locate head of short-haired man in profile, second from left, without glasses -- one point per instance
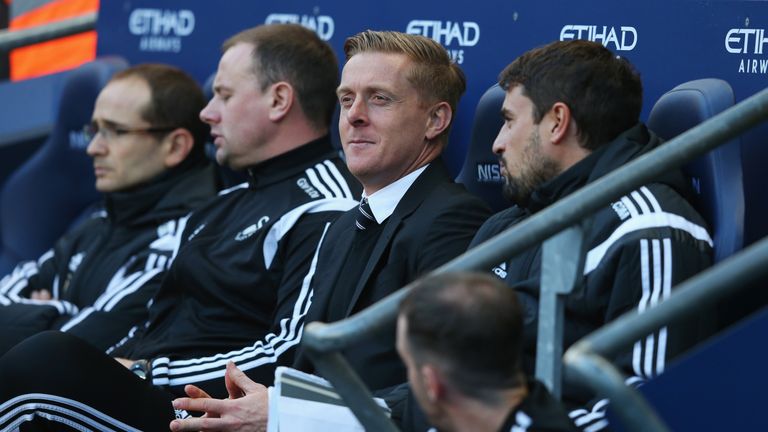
(274, 90)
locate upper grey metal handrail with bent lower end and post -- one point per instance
(323, 341)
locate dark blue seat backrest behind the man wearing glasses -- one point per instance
(40, 200)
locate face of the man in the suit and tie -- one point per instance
(383, 120)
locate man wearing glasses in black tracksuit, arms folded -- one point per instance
(97, 280)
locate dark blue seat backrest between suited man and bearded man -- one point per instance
(480, 173)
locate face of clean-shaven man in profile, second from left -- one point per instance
(238, 111)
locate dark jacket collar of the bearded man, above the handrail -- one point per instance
(632, 143)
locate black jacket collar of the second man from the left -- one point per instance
(290, 163)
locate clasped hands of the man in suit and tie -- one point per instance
(244, 411)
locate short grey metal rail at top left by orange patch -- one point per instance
(10, 39)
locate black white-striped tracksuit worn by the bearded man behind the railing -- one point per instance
(638, 248)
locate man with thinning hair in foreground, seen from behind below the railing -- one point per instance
(460, 336)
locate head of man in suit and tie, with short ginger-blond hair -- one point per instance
(398, 97)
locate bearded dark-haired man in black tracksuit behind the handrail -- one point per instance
(571, 115)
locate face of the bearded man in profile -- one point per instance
(524, 164)
